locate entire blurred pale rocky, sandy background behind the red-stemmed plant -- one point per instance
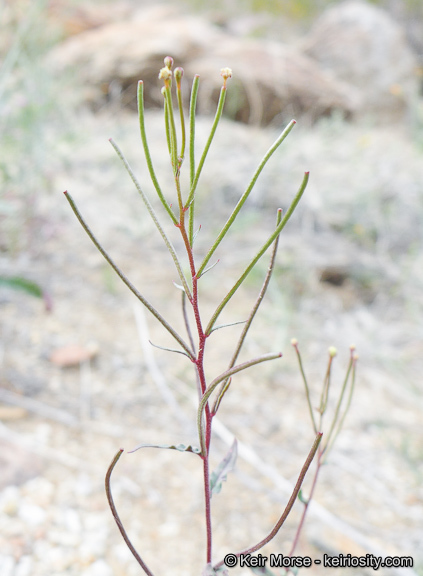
(78, 378)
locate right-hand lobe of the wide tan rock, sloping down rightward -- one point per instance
(271, 80)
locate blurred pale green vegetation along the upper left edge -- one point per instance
(29, 116)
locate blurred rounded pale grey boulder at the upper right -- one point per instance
(362, 45)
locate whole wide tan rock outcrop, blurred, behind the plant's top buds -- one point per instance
(270, 79)
